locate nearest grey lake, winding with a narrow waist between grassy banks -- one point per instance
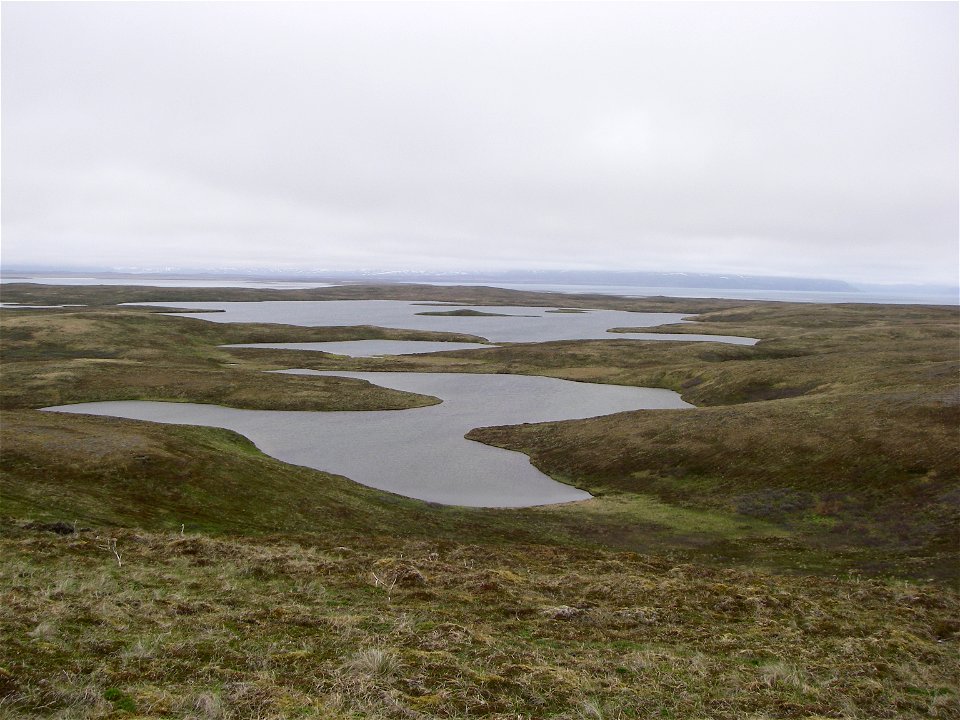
(421, 452)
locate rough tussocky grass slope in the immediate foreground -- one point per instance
(232, 627)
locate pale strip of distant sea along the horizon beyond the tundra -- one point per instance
(873, 294)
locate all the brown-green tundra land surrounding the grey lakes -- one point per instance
(787, 550)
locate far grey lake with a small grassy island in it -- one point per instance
(519, 325)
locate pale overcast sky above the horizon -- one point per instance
(812, 139)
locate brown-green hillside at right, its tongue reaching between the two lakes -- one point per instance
(840, 426)
